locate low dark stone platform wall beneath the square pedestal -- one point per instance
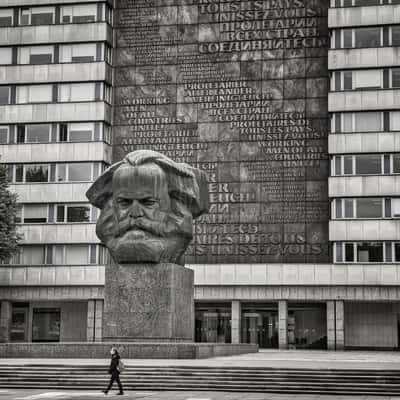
(145, 350)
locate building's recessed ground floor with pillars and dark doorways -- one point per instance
(331, 324)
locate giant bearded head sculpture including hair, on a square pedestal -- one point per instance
(148, 203)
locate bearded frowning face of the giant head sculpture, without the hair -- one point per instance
(148, 226)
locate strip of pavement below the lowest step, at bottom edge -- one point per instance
(141, 395)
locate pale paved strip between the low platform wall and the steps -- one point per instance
(311, 359)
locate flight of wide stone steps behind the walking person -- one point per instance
(238, 379)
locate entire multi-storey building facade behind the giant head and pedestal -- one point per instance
(292, 109)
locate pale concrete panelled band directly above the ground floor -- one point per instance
(218, 274)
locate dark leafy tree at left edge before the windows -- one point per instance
(9, 236)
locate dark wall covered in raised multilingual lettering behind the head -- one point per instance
(238, 89)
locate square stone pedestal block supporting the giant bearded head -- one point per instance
(148, 302)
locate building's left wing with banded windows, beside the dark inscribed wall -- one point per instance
(55, 91)
